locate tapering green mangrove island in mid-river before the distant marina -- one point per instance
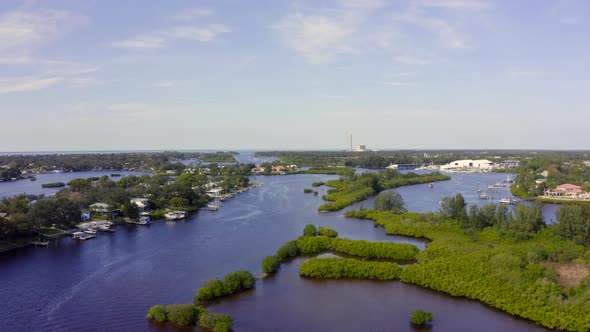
(351, 189)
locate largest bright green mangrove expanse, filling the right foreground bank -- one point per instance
(516, 264)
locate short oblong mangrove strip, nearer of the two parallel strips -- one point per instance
(349, 268)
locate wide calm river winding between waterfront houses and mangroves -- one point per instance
(108, 283)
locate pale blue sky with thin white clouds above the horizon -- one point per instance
(424, 74)
